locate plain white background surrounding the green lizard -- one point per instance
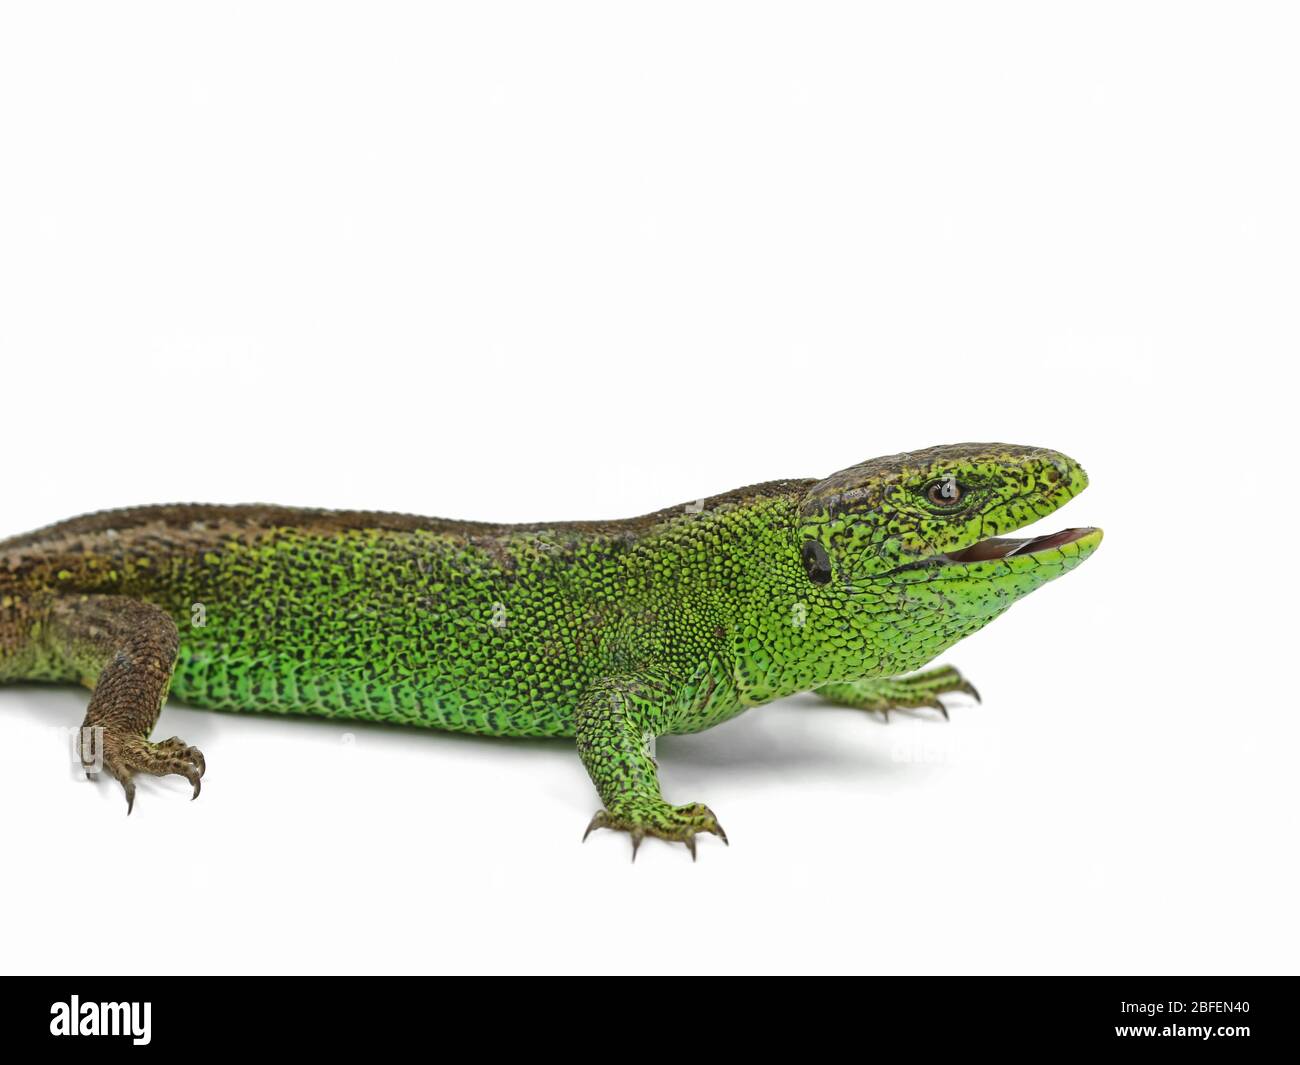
(584, 261)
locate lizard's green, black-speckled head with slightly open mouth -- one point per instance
(920, 538)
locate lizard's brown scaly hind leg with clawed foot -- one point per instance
(125, 651)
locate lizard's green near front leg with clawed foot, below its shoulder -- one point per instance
(617, 722)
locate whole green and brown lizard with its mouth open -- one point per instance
(606, 633)
